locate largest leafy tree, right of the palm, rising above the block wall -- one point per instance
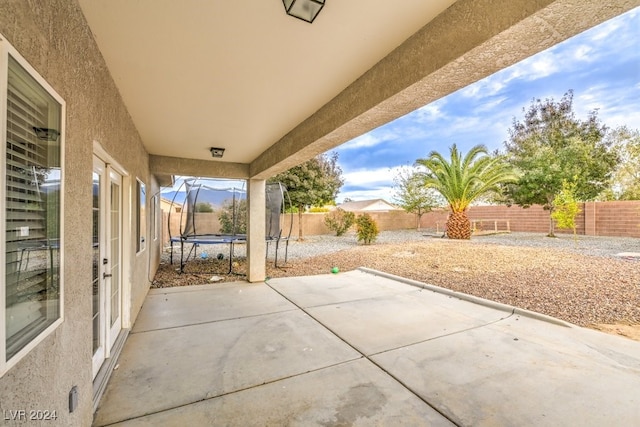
(551, 145)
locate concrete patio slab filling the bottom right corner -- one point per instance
(524, 372)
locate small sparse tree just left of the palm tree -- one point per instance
(411, 194)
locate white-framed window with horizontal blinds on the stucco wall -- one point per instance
(32, 209)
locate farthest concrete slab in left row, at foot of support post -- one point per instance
(172, 307)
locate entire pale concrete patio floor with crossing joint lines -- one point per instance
(362, 348)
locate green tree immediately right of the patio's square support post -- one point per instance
(315, 182)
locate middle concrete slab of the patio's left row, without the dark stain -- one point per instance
(167, 368)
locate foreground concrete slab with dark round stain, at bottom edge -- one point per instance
(351, 394)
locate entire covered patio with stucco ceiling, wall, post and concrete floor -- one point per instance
(147, 90)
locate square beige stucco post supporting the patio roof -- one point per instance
(256, 229)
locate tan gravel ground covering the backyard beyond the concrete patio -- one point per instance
(584, 282)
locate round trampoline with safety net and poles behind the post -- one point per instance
(215, 215)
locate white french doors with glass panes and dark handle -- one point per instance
(107, 260)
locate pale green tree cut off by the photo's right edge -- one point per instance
(626, 178)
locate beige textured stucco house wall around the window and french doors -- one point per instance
(53, 36)
